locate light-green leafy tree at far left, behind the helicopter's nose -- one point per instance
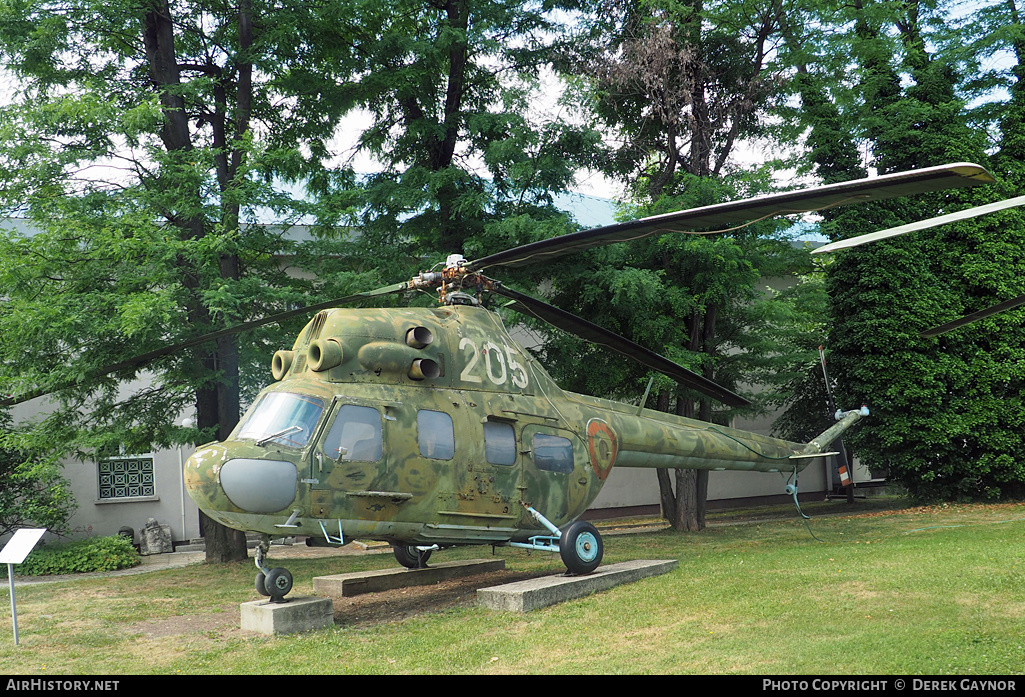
(142, 145)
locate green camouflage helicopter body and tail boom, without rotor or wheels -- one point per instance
(434, 427)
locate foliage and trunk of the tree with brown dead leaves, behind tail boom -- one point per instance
(682, 86)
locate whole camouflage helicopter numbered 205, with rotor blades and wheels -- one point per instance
(433, 428)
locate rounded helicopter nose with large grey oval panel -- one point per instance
(218, 481)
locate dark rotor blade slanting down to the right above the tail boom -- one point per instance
(592, 333)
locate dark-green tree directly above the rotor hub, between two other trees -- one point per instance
(469, 165)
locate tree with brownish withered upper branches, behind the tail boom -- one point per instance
(681, 86)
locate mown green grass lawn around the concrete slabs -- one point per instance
(925, 591)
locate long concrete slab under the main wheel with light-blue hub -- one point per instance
(541, 593)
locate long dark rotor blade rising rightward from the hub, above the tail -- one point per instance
(723, 217)
